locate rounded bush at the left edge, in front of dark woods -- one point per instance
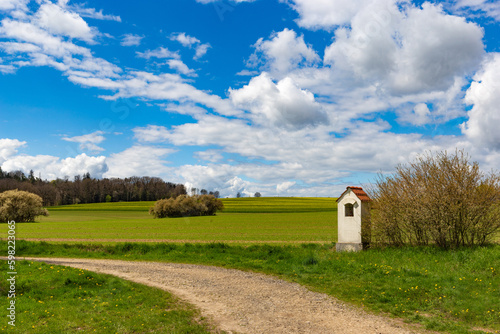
(20, 206)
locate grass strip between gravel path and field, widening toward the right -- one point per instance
(455, 291)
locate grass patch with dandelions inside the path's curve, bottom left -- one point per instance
(57, 299)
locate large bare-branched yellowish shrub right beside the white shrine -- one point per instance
(442, 200)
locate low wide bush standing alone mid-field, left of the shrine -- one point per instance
(186, 206)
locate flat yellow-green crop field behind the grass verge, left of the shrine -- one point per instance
(281, 220)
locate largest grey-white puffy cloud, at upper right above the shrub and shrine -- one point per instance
(398, 53)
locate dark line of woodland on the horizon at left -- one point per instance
(85, 189)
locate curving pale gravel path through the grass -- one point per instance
(244, 302)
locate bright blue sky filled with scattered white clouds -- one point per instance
(287, 98)
